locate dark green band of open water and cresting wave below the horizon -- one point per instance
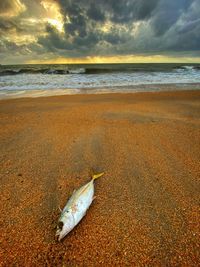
(93, 69)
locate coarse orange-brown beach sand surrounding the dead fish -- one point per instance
(147, 207)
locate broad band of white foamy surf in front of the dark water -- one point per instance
(44, 84)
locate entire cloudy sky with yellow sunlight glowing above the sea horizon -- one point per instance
(99, 31)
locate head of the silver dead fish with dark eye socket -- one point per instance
(65, 225)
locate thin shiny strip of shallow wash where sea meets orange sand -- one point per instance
(15, 94)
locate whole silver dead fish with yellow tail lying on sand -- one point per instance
(76, 208)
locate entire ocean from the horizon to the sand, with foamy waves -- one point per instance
(39, 80)
